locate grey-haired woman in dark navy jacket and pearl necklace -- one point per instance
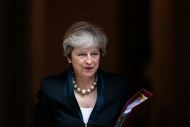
(83, 95)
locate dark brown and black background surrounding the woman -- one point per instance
(149, 41)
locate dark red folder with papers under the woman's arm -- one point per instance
(133, 108)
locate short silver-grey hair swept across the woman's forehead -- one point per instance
(84, 35)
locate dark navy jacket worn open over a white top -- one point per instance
(58, 107)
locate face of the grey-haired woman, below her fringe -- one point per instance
(85, 61)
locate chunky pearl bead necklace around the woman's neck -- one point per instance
(84, 91)
